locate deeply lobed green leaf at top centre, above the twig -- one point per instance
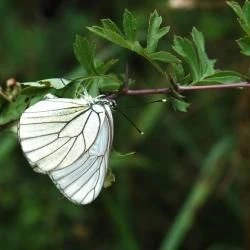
(129, 41)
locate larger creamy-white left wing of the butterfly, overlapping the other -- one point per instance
(56, 132)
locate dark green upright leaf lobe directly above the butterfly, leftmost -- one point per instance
(85, 53)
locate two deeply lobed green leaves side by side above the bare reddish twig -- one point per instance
(193, 54)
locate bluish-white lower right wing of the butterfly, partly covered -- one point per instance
(82, 181)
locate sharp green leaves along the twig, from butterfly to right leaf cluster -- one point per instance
(97, 79)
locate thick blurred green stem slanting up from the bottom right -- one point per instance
(211, 171)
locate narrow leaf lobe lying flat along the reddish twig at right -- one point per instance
(223, 77)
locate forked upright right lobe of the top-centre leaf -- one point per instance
(155, 32)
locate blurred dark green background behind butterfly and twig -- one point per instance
(188, 184)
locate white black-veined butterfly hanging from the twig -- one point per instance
(70, 140)
